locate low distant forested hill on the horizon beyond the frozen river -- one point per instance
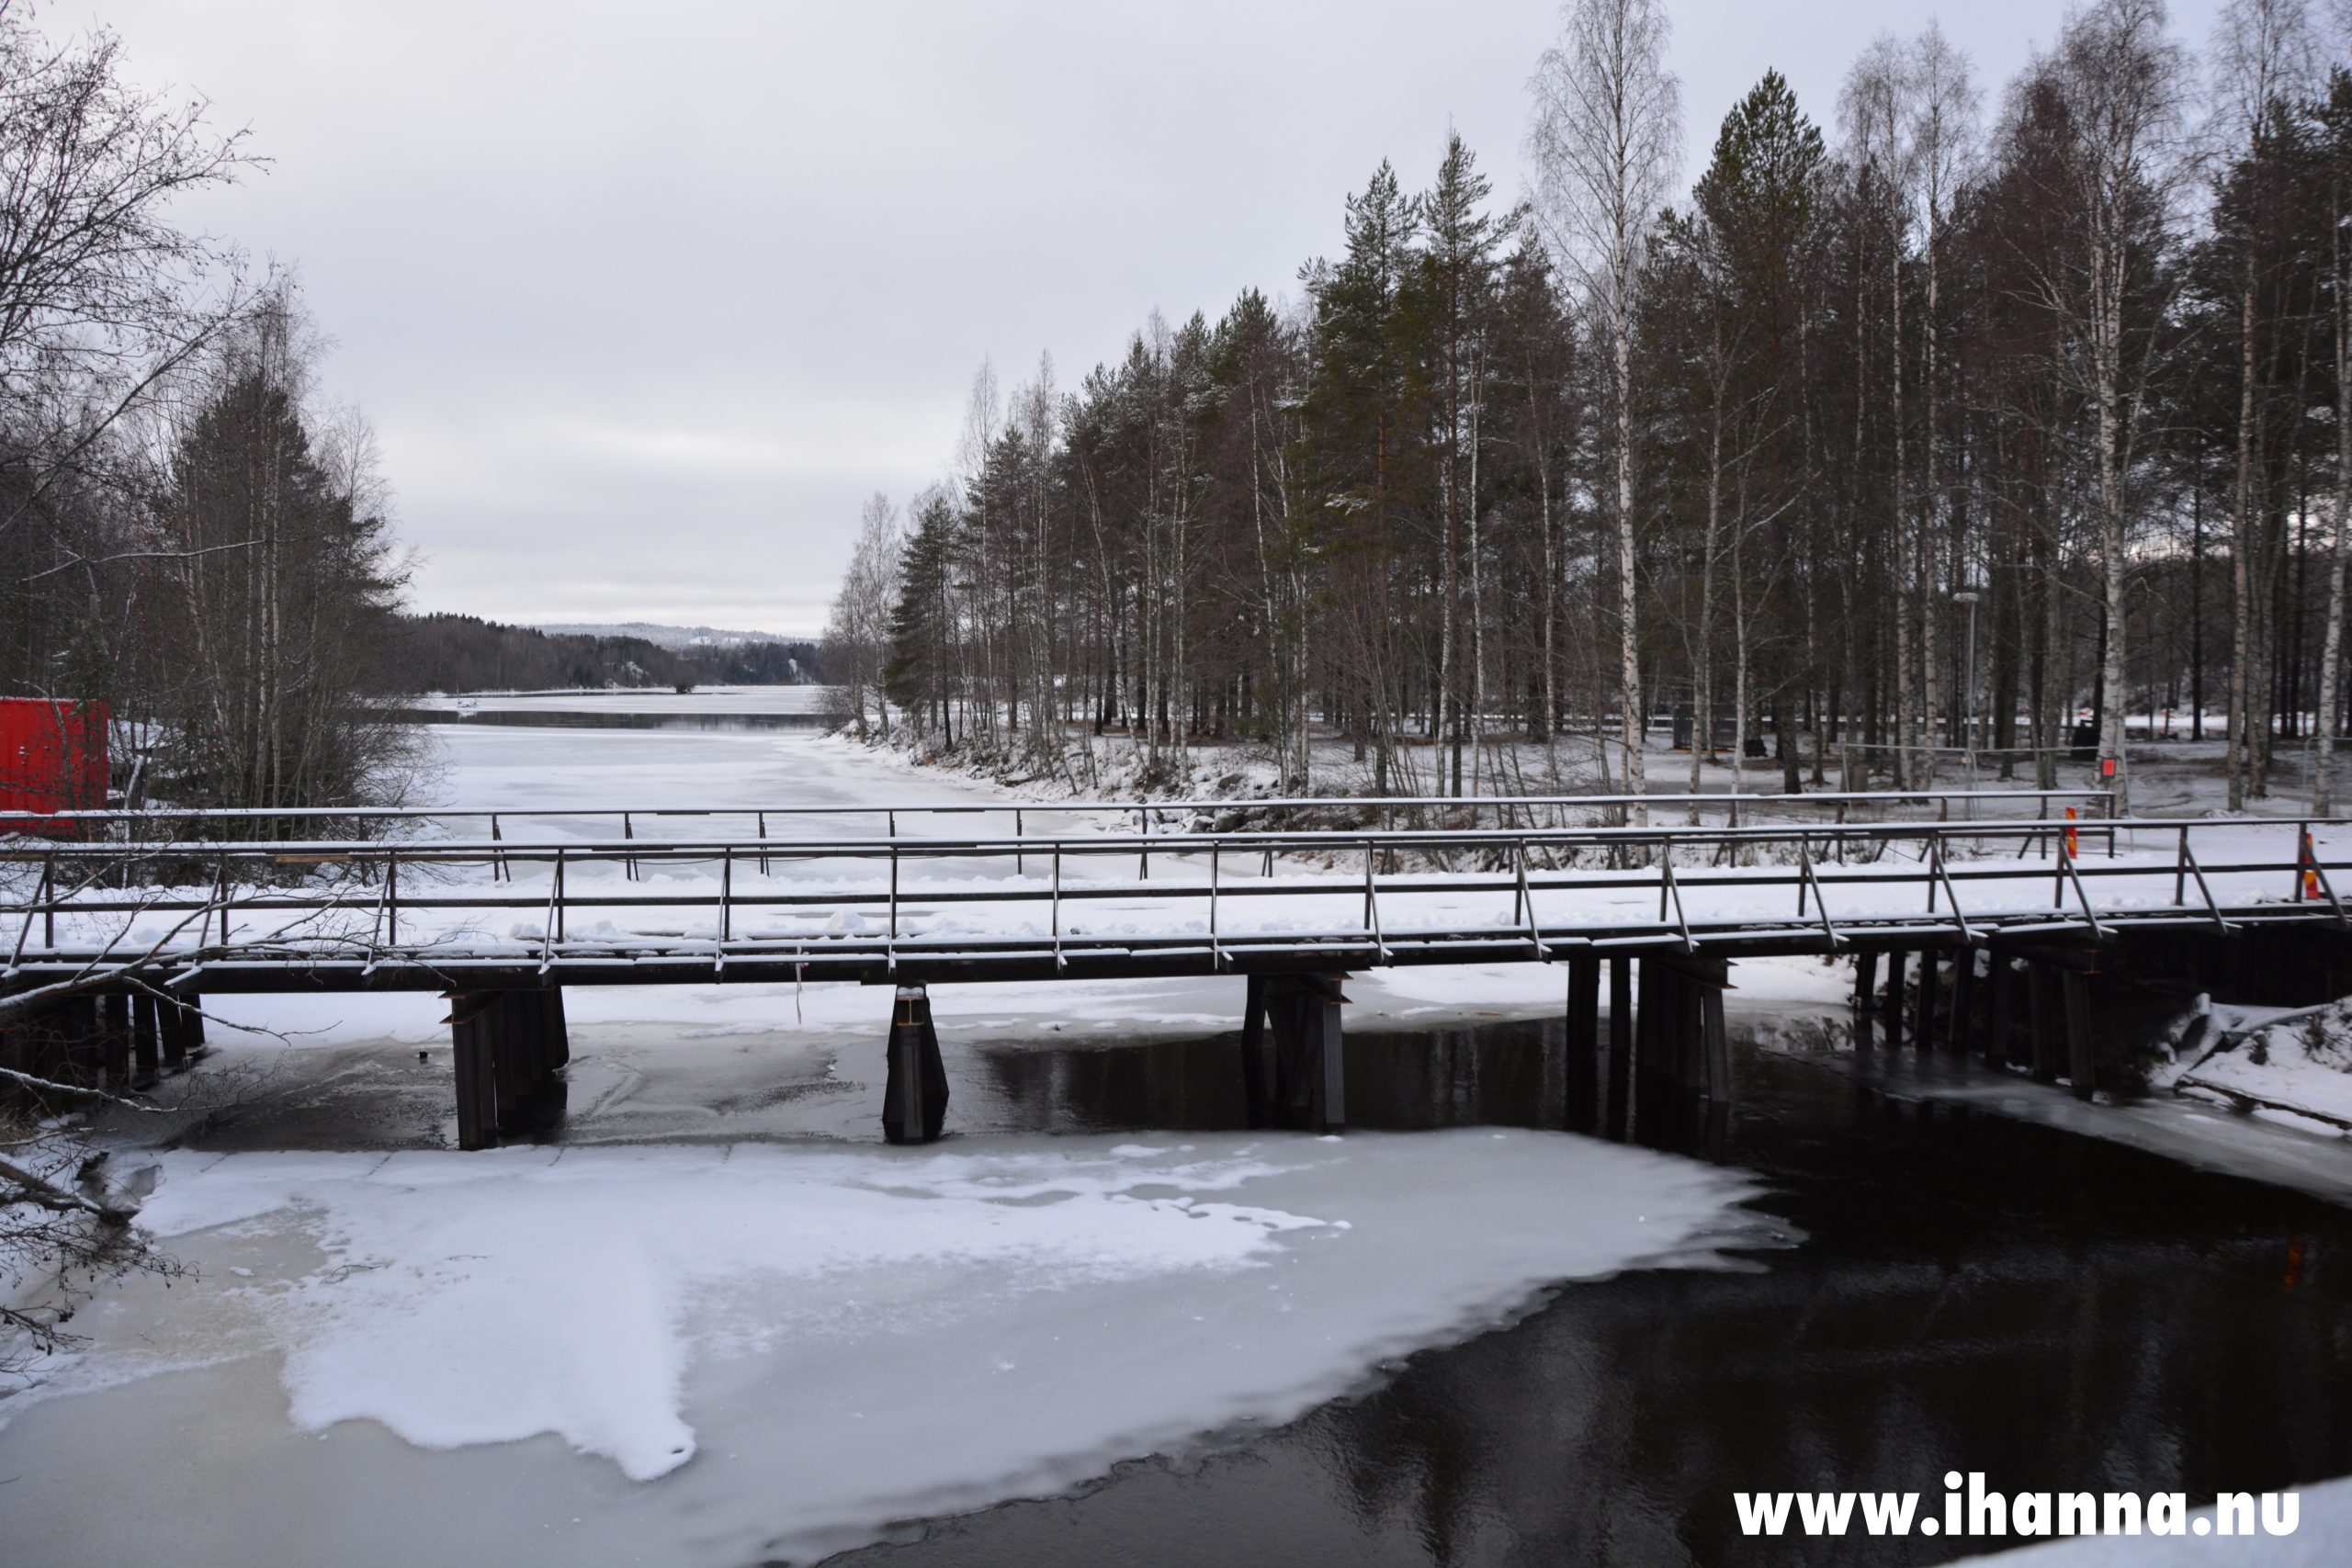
(474, 655)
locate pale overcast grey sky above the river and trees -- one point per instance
(646, 300)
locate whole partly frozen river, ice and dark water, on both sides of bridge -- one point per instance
(716, 1322)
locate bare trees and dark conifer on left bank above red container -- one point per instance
(189, 530)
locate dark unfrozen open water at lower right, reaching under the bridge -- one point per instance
(1975, 1292)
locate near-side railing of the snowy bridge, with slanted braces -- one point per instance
(338, 913)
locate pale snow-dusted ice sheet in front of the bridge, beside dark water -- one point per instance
(900, 1332)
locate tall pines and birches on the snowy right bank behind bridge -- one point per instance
(1913, 410)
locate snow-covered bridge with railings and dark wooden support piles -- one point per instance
(1965, 911)
